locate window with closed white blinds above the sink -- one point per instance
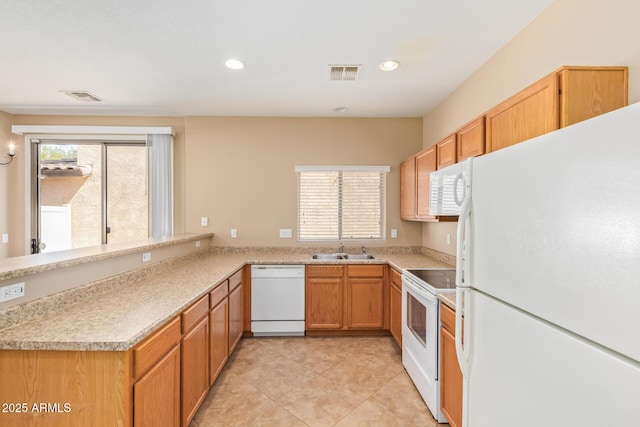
(341, 203)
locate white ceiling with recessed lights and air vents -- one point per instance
(166, 57)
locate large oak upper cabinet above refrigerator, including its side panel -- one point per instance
(564, 97)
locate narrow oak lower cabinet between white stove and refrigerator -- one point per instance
(450, 374)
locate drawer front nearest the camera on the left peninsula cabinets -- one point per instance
(152, 349)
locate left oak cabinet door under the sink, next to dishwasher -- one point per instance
(324, 303)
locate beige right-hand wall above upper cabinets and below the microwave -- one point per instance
(569, 32)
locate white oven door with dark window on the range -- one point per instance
(420, 327)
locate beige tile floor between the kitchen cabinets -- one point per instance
(302, 381)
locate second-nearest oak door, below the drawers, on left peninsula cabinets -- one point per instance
(195, 369)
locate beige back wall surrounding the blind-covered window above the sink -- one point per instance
(241, 175)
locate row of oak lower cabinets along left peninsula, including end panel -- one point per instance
(161, 381)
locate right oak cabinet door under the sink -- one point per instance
(365, 298)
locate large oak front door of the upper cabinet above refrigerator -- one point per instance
(530, 113)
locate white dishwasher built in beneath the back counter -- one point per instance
(277, 300)
